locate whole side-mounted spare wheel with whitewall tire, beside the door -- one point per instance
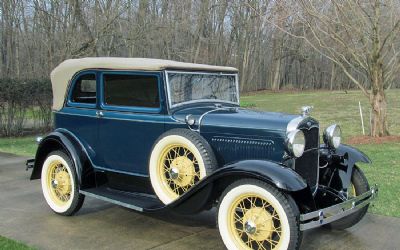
(179, 160)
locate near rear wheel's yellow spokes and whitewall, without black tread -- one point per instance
(58, 183)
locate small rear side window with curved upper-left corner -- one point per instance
(85, 89)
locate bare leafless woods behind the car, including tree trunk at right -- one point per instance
(305, 44)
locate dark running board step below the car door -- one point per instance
(136, 201)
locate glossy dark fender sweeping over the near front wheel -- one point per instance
(210, 188)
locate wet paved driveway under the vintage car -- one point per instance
(25, 216)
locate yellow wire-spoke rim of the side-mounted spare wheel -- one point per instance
(178, 169)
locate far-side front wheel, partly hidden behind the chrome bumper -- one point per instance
(359, 184)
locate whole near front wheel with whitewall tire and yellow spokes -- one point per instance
(255, 215)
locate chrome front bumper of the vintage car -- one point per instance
(336, 212)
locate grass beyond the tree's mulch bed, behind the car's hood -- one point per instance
(329, 107)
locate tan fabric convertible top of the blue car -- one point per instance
(63, 73)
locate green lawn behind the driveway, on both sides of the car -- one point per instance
(329, 107)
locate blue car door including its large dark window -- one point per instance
(132, 118)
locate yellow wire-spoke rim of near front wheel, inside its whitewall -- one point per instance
(254, 222)
